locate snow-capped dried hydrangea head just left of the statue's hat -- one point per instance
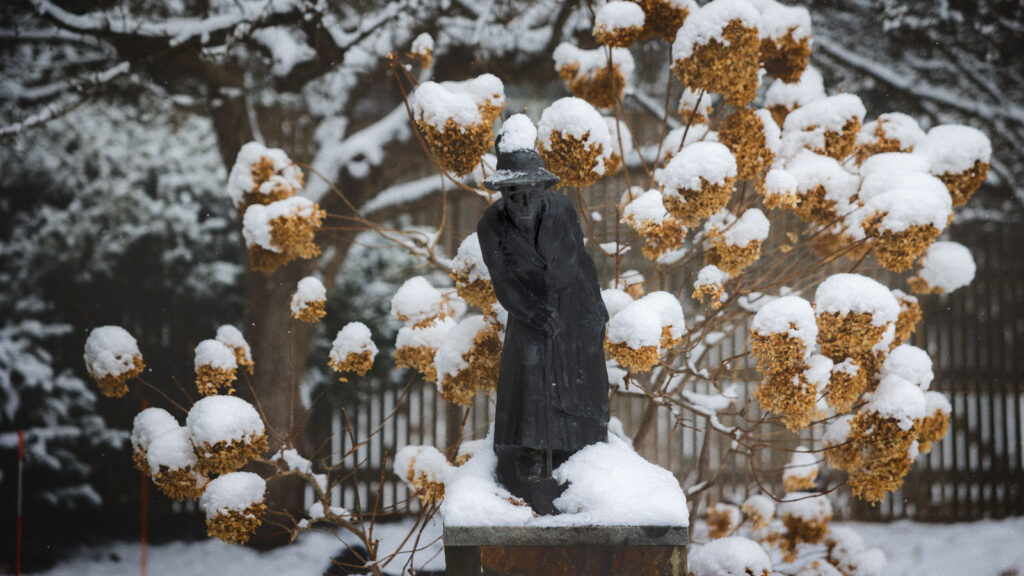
(457, 119)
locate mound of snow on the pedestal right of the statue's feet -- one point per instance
(610, 484)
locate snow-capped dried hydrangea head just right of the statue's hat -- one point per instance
(575, 142)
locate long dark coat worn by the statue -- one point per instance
(532, 277)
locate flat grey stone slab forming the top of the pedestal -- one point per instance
(566, 537)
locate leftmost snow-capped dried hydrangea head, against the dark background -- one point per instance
(112, 358)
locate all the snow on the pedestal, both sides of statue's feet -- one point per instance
(609, 484)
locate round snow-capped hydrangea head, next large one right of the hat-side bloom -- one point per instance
(698, 182)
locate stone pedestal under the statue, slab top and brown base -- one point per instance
(594, 551)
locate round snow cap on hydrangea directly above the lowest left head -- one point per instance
(223, 419)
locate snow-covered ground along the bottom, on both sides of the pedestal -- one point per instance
(983, 549)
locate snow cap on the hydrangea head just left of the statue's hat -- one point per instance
(436, 103)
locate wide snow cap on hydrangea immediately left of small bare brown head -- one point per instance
(854, 294)
